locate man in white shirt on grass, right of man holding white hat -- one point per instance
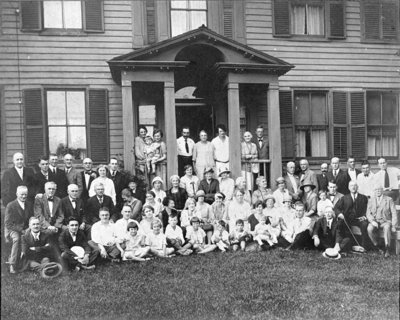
(104, 238)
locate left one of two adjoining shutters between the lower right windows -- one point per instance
(339, 124)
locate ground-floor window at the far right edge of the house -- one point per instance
(383, 124)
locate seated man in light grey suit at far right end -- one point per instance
(381, 214)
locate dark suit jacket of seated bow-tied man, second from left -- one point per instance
(47, 218)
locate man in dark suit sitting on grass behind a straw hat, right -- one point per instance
(328, 233)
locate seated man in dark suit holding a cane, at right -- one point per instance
(352, 208)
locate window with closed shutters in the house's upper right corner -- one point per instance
(380, 20)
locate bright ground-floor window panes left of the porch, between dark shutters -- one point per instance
(67, 122)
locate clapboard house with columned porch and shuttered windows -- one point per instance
(323, 77)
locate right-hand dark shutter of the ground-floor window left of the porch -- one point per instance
(98, 130)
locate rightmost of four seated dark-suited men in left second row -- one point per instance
(96, 202)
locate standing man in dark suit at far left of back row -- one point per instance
(17, 176)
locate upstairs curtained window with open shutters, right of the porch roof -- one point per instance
(311, 18)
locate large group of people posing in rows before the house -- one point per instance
(107, 216)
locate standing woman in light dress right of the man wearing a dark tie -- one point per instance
(203, 154)
